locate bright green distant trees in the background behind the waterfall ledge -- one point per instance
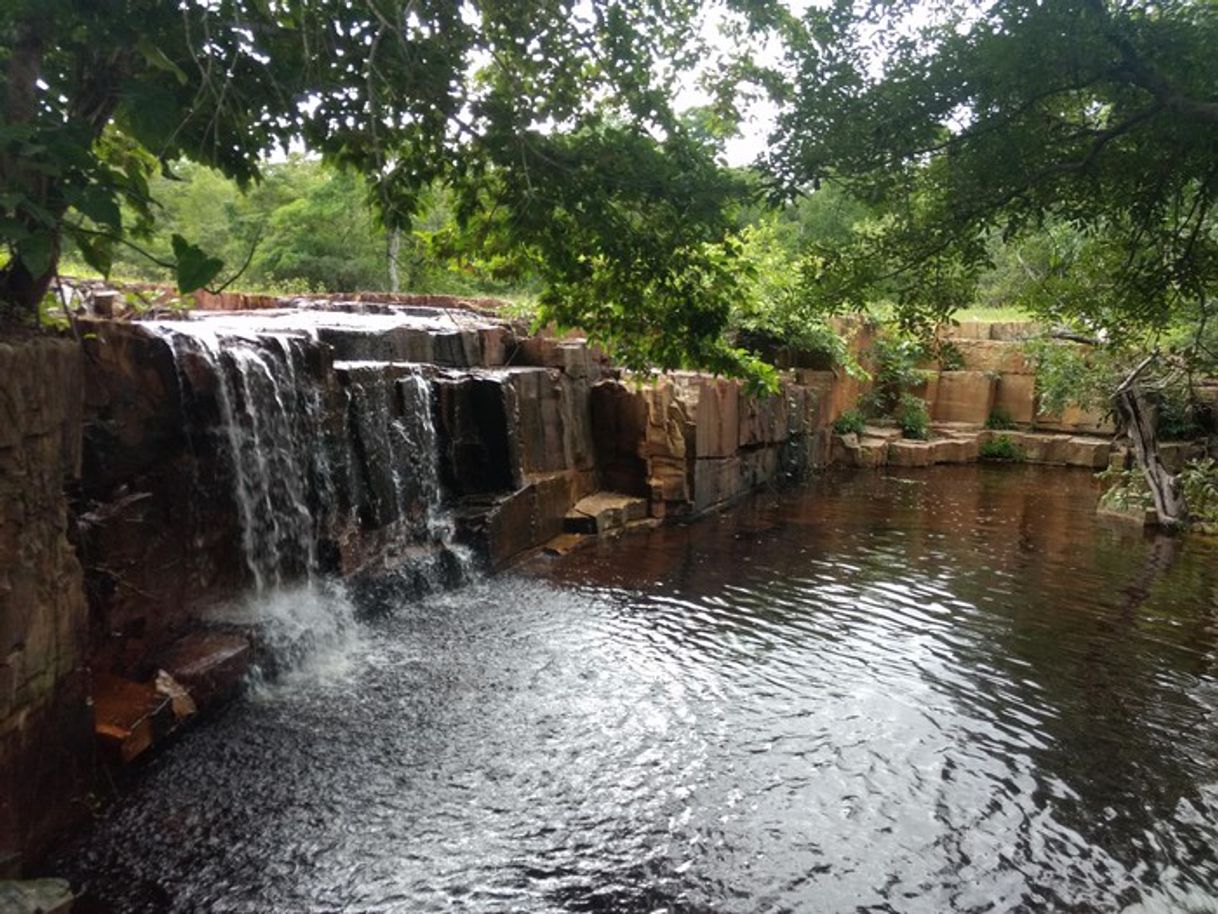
(305, 227)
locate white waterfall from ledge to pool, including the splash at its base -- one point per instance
(329, 456)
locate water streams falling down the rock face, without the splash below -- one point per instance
(331, 471)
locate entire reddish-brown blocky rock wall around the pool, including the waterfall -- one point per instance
(353, 438)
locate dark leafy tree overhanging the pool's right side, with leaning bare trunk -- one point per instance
(975, 122)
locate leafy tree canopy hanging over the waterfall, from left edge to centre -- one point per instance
(528, 107)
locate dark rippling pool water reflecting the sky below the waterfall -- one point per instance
(947, 692)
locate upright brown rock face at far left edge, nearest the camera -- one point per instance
(46, 727)
